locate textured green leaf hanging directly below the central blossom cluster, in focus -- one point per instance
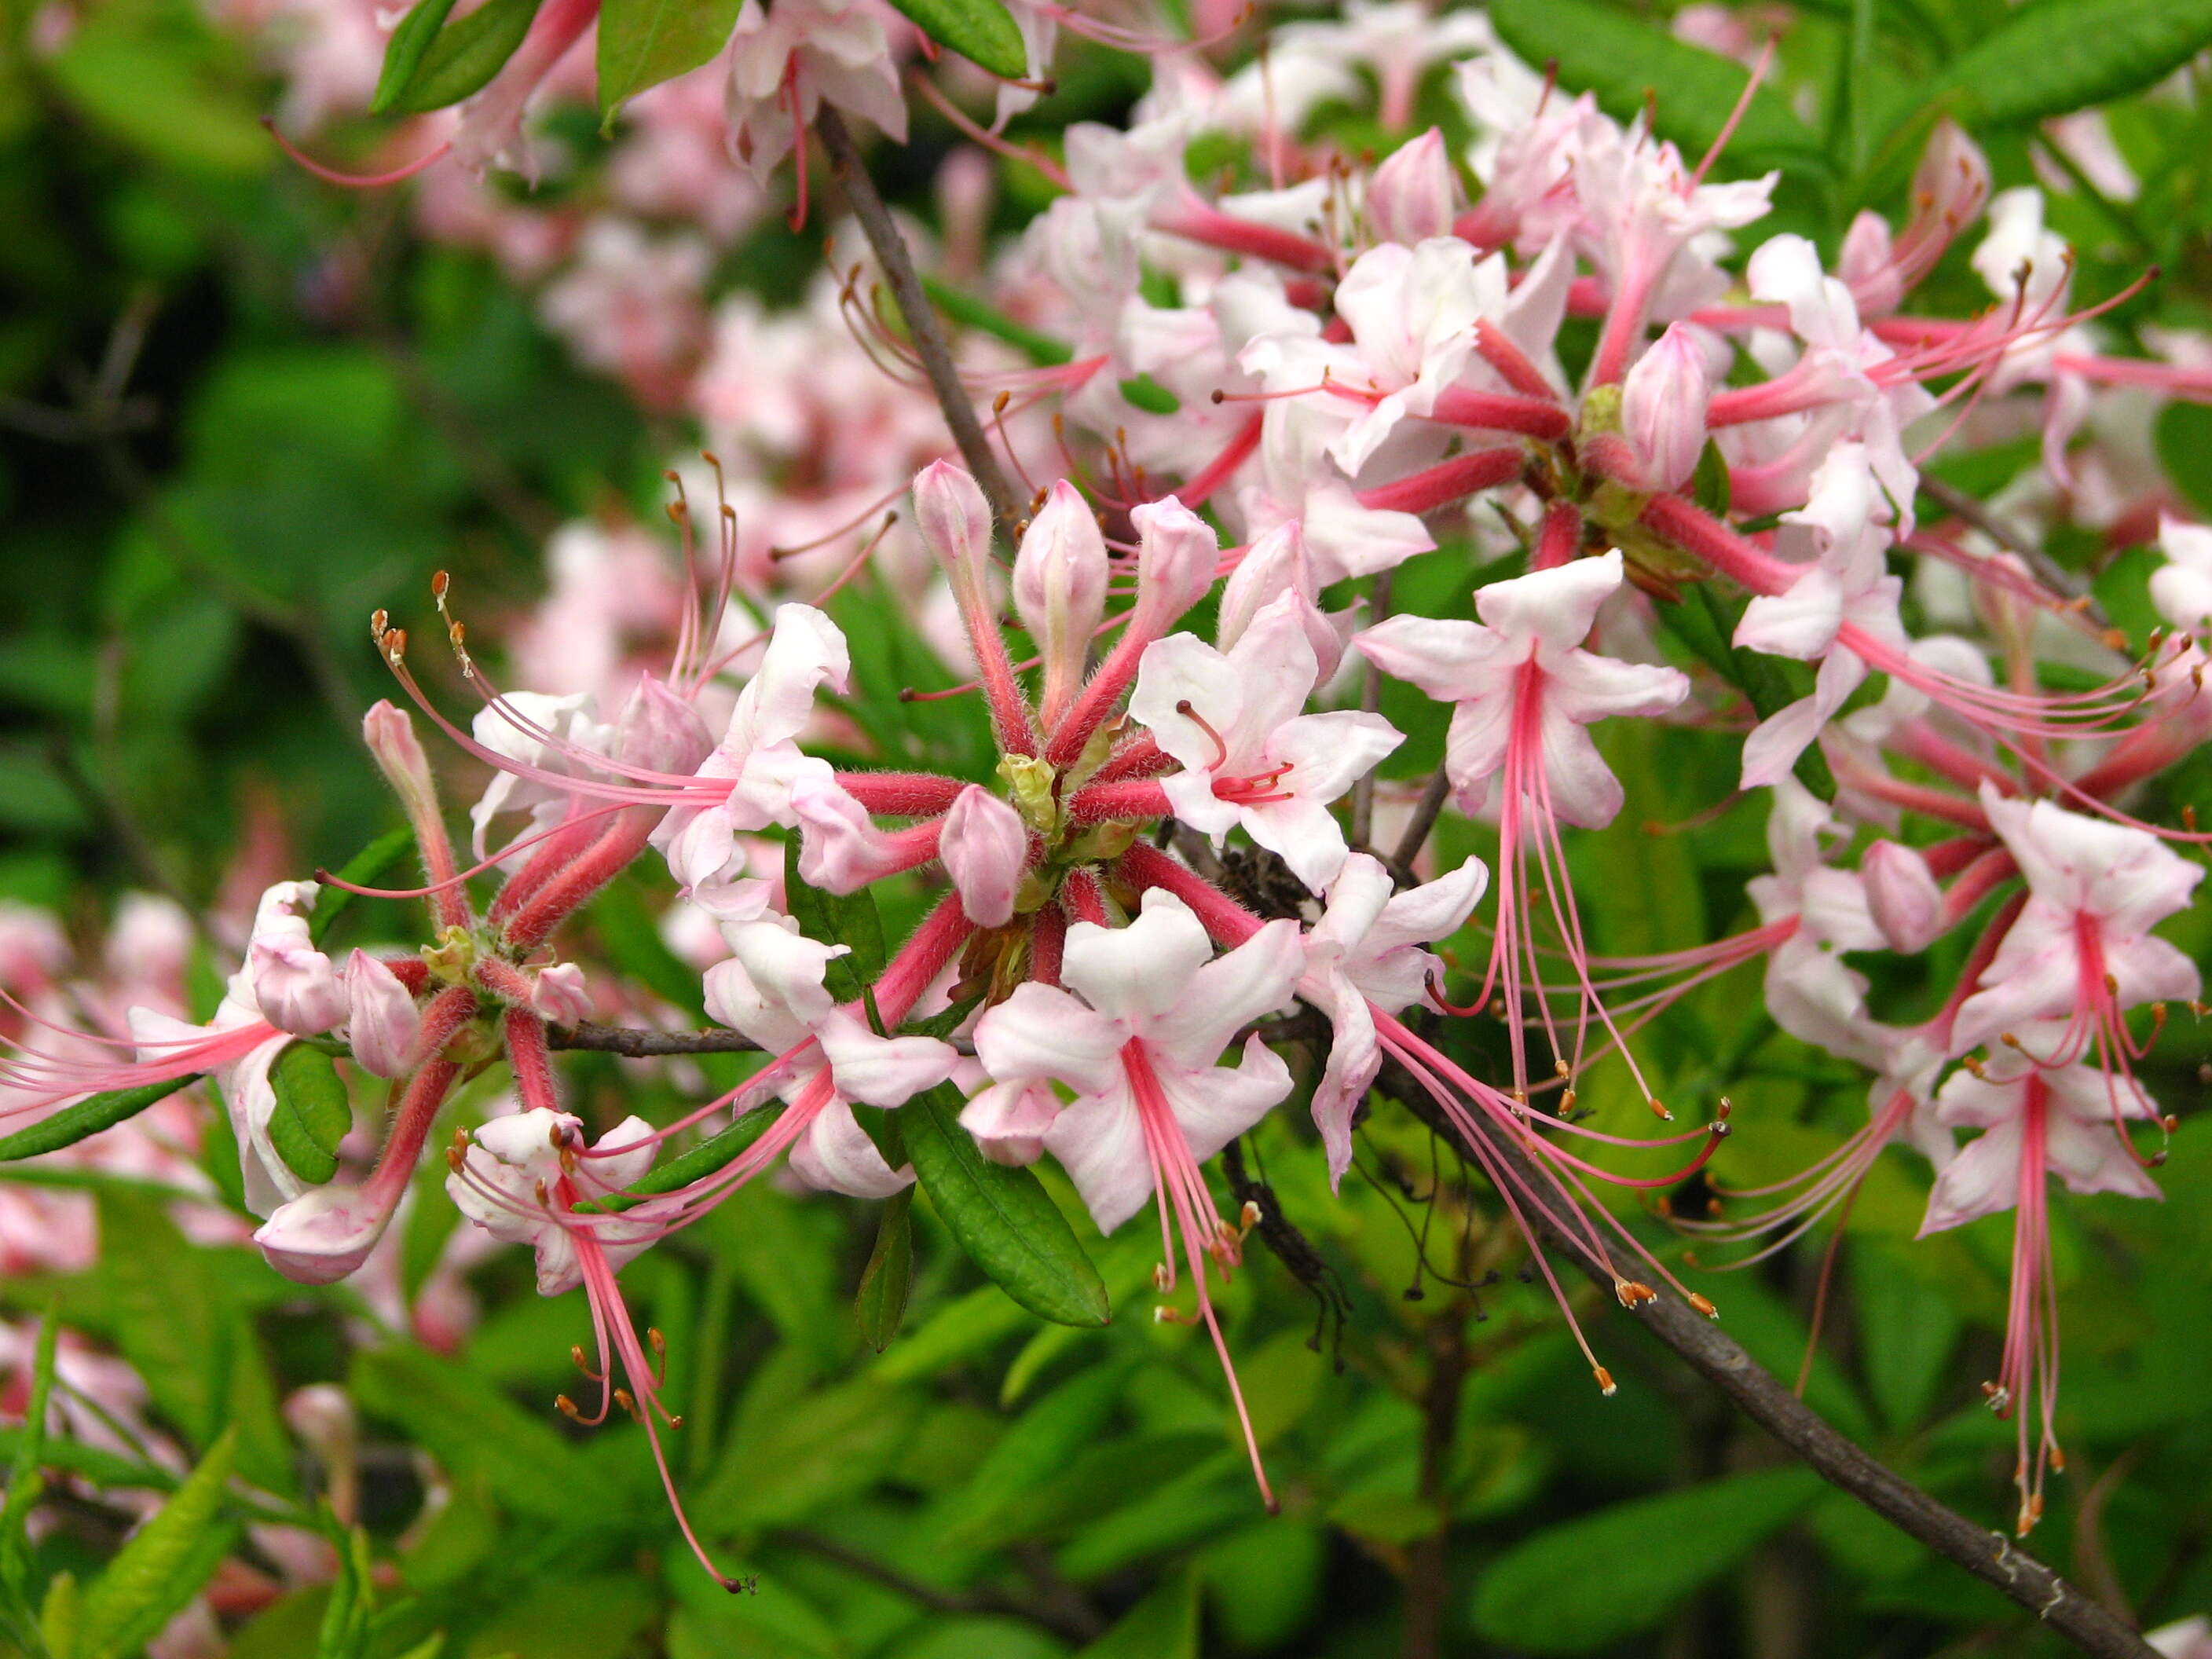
(1001, 1218)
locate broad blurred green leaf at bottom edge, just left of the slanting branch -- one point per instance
(1651, 1554)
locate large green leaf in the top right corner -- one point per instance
(2058, 56)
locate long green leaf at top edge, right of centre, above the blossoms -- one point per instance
(1623, 59)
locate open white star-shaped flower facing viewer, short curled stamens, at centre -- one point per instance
(1249, 755)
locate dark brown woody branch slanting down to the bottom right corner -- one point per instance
(1766, 1401)
